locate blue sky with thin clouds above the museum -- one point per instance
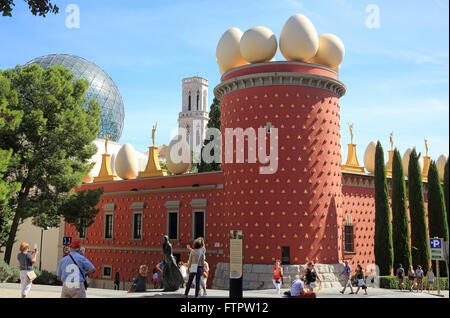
(397, 75)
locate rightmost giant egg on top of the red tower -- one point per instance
(331, 51)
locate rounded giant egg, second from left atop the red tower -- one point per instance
(258, 44)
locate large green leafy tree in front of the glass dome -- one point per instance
(53, 143)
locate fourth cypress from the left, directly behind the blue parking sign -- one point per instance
(437, 216)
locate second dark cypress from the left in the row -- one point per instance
(400, 224)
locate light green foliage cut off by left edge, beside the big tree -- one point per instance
(9, 120)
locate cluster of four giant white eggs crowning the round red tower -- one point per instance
(299, 41)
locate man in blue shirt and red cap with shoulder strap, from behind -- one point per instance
(72, 272)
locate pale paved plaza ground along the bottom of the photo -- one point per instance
(8, 290)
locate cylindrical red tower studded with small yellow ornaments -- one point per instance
(293, 212)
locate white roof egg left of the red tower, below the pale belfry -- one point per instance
(178, 156)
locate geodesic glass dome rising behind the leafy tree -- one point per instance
(101, 87)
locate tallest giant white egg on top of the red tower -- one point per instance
(298, 39)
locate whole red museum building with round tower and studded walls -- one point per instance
(310, 209)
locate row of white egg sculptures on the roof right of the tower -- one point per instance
(369, 160)
